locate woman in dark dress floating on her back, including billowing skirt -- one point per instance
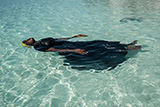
(97, 54)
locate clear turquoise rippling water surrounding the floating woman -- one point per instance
(29, 78)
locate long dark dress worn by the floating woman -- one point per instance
(101, 54)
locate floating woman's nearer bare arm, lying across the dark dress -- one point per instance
(80, 51)
